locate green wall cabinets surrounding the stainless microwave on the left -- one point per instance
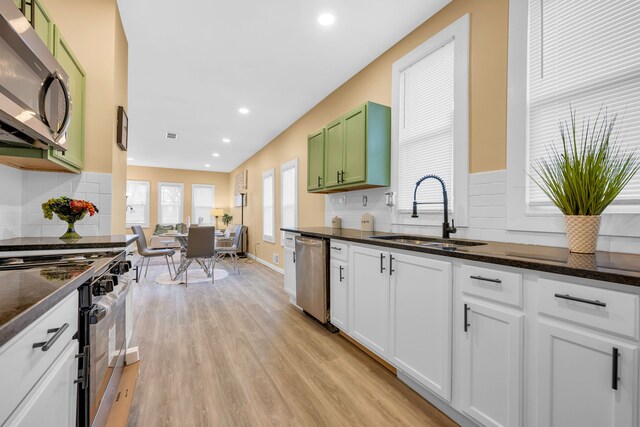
(71, 160)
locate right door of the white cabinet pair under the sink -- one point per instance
(421, 291)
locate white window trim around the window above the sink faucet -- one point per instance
(458, 31)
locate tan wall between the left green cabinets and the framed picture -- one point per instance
(94, 31)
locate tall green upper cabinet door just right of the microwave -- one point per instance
(74, 155)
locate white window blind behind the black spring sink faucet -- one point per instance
(426, 119)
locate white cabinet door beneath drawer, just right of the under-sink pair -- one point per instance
(492, 364)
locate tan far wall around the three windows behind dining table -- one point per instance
(186, 177)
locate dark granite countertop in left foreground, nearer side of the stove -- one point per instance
(25, 295)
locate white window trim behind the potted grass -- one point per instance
(519, 216)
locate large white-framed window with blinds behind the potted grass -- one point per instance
(583, 55)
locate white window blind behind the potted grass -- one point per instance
(585, 54)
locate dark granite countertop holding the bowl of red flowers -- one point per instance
(54, 243)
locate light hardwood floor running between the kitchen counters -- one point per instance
(236, 353)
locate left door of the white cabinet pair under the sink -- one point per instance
(369, 297)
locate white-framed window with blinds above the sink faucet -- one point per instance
(431, 121)
